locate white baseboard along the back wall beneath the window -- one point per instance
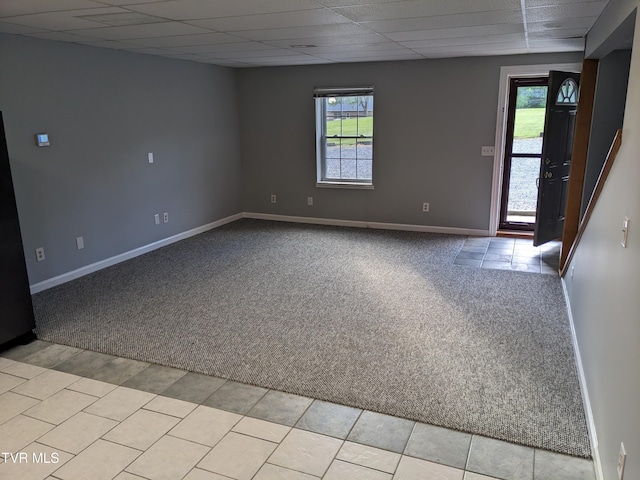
(364, 224)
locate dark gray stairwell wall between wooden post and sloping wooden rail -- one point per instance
(608, 113)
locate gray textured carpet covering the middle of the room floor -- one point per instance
(373, 319)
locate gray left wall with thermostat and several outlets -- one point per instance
(104, 111)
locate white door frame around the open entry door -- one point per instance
(506, 73)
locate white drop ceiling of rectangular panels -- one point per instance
(254, 33)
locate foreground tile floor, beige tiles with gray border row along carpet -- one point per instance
(71, 414)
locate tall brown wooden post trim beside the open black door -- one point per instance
(588, 81)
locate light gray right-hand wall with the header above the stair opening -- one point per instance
(604, 287)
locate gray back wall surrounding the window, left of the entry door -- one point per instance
(431, 119)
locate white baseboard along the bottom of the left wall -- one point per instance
(94, 267)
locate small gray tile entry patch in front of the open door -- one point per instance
(501, 253)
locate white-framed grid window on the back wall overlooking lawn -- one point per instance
(344, 136)
